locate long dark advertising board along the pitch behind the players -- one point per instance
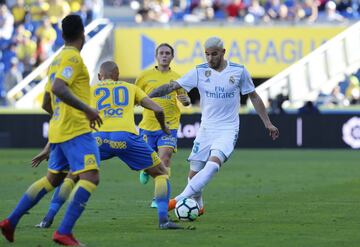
(317, 131)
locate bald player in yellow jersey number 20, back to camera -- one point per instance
(118, 137)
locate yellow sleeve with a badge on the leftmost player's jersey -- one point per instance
(69, 68)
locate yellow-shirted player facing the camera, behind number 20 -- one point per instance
(161, 142)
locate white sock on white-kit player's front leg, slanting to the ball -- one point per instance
(198, 182)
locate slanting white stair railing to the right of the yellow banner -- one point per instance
(317, 72)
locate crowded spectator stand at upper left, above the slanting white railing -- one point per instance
(30, 33)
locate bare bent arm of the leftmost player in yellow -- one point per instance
(61, 90)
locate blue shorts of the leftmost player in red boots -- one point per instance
(76, 155)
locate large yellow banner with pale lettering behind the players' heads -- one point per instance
(265, 51)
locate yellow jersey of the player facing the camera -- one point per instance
(148, 81)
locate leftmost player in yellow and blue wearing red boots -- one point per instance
(72, 144)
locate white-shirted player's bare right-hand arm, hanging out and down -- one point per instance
(261, 111)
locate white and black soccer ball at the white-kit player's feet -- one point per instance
(187, 209)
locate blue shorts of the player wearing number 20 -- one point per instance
(129, 147)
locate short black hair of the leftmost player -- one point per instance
(72, 27)
